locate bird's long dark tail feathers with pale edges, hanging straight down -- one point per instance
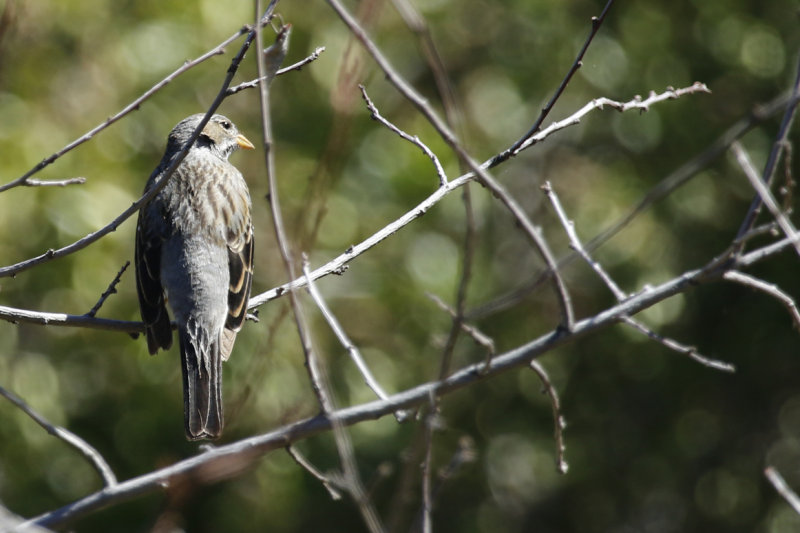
(202, 384)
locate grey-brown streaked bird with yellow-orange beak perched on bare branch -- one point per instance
(194, 250)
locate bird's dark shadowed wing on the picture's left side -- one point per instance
(148, 284)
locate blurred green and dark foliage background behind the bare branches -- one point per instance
(655, 441)
